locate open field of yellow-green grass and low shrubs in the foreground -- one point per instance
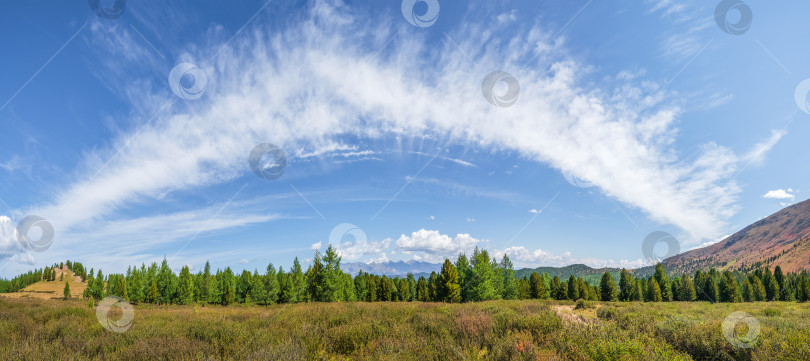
(36, 329)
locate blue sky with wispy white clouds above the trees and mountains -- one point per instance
(556, 132)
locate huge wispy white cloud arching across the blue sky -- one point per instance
(321, 78)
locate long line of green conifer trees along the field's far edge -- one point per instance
(468, 279)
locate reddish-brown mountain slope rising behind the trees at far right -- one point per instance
(782, 238)
